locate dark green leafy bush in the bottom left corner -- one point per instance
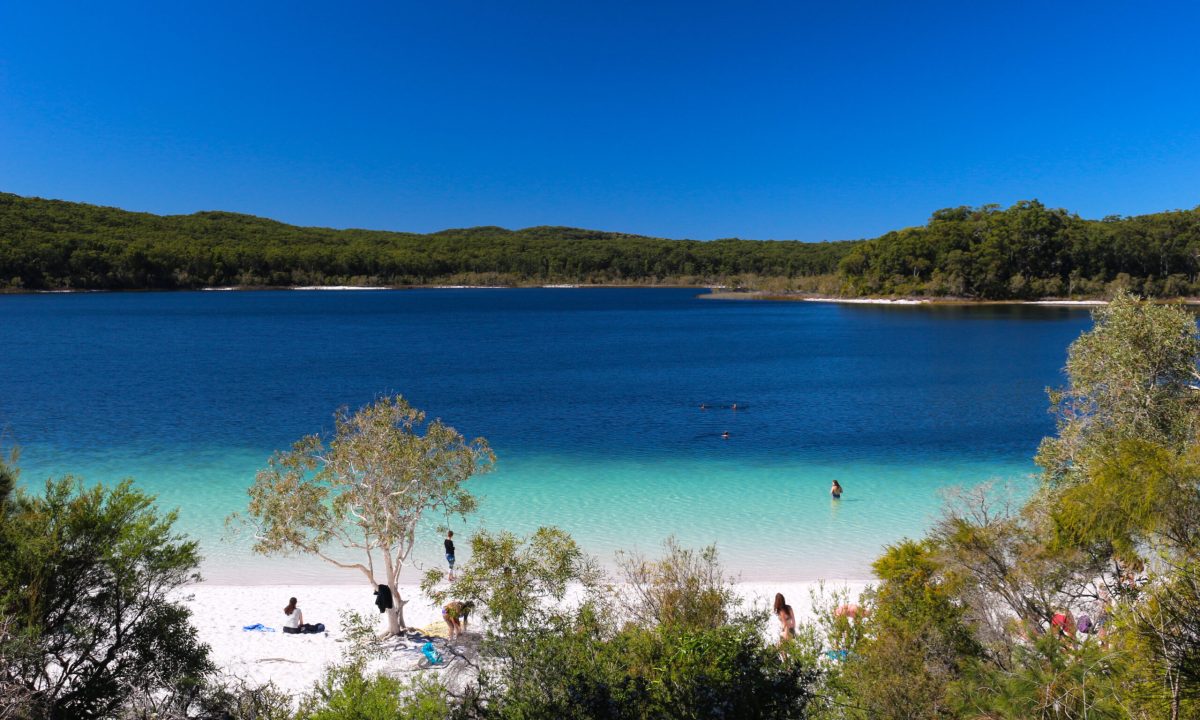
(85, 586)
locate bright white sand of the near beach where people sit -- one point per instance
(295, 663)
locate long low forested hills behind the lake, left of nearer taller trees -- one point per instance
(53, 244)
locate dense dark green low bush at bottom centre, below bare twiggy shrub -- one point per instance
(572, 669)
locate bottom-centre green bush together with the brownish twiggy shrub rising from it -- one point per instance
(675, 649)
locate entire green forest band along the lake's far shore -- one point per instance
(1027, 251)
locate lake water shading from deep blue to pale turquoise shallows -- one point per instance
(591, 399)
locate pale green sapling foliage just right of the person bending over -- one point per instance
(517, 578)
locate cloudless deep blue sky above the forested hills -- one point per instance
(692, 119)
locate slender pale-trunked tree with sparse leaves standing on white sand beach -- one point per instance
(355, 500)
